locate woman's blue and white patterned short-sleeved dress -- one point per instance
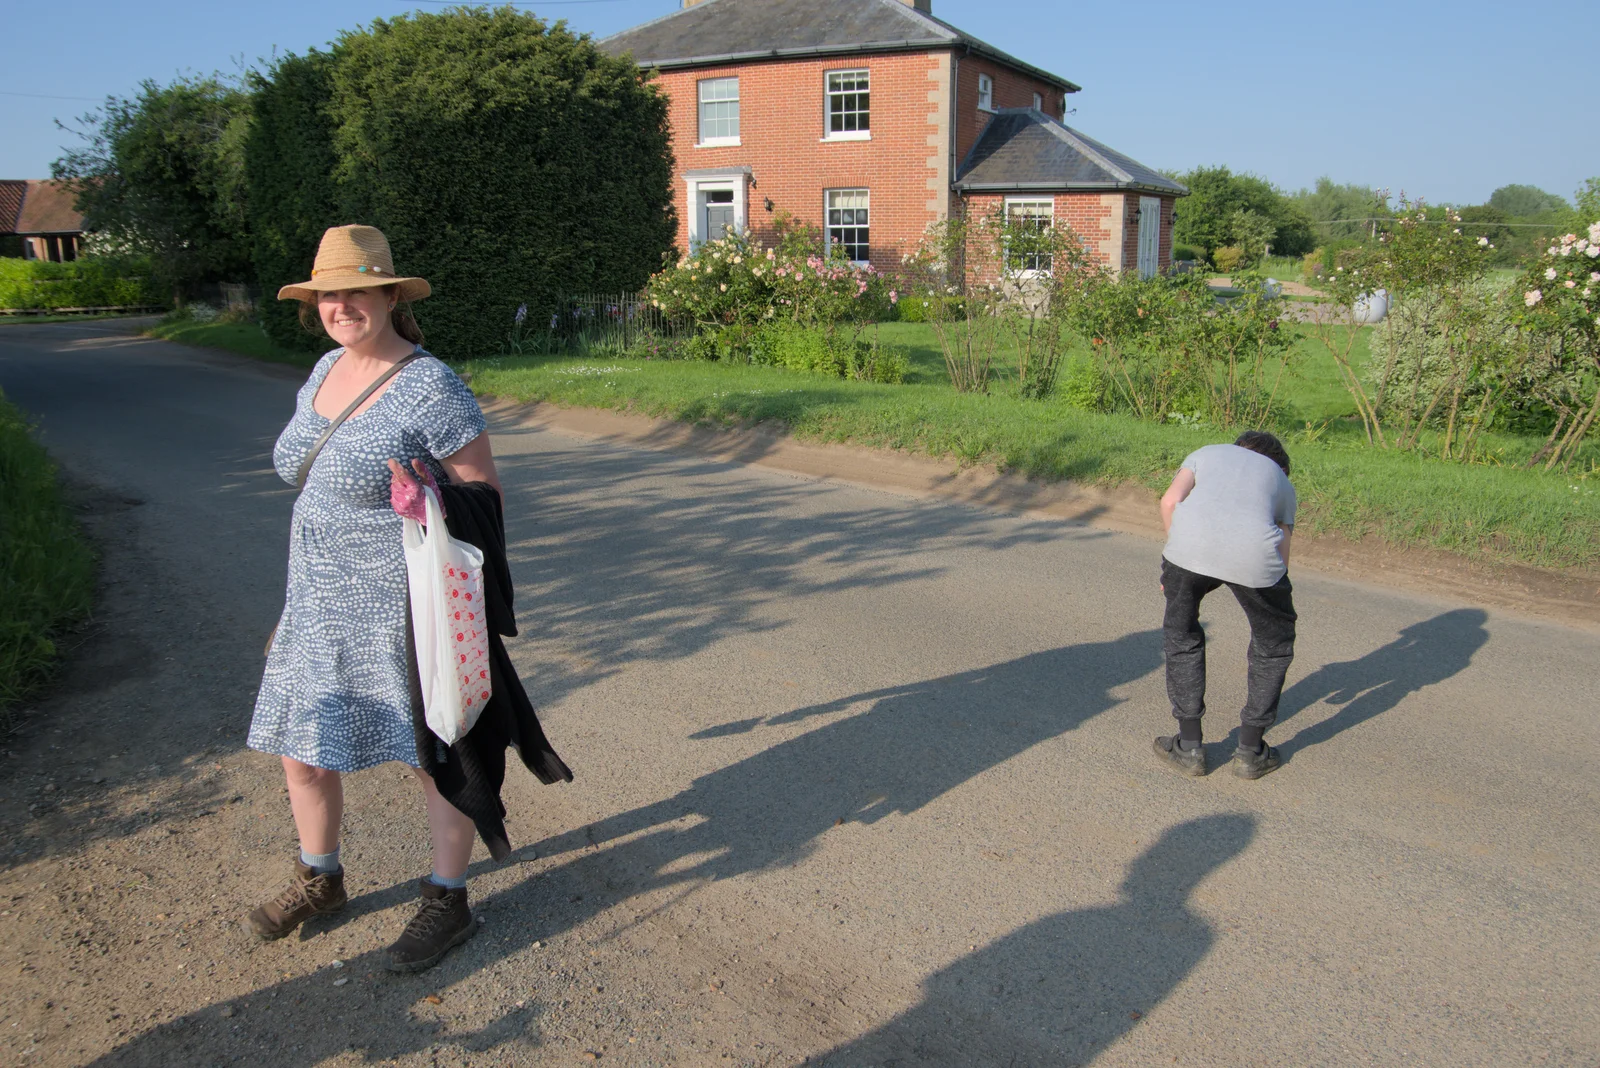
(335, 693)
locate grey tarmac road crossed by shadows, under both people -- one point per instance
(862, 779)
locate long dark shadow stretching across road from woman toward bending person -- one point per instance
(913, 746)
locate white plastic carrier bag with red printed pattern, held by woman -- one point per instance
(449, 624)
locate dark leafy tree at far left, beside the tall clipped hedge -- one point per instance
(162, 175)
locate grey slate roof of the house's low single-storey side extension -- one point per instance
(1025, 149)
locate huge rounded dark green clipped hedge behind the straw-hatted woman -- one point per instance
(508, 162)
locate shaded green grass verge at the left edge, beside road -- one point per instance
(47, 568)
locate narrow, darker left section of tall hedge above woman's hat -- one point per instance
(289, 175)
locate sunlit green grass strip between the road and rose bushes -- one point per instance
(1484, 511)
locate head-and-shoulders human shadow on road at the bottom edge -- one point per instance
(1063, 989)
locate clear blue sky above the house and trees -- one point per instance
(1442, 100)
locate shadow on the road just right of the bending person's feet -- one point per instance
(1423, 655)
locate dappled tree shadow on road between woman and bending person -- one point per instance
(623, 557)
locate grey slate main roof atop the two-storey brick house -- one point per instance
(740, 31)
